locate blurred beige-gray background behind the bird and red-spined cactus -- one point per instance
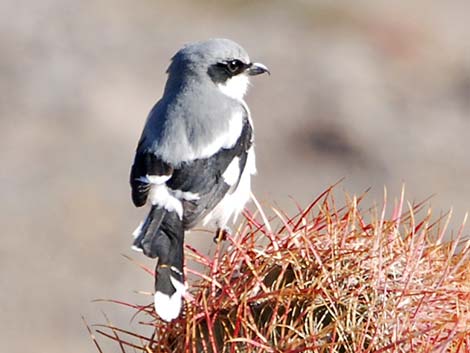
(376, 92)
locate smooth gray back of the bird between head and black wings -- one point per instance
(185, 121)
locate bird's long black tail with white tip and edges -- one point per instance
(162, 236)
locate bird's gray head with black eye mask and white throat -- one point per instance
(221, 61)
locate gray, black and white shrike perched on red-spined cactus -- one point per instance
(194, 159)
